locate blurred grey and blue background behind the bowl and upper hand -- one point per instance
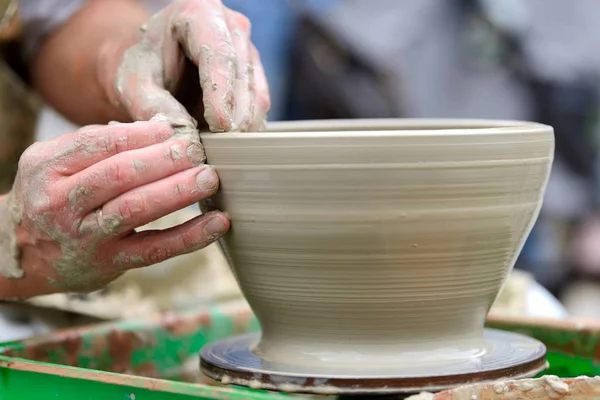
(511, 59)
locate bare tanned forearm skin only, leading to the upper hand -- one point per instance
(67, 67)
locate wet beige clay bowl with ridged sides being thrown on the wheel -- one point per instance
(380, 242)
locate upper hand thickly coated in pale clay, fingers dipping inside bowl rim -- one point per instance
(216, 41)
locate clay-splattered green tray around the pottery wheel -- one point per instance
(143, 359)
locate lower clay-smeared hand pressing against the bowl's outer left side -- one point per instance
(77, 200)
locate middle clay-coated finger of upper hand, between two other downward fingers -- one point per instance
(239, 26)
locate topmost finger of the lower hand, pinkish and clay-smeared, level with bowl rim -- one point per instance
(76, 151)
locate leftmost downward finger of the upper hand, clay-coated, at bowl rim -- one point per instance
(201, 29)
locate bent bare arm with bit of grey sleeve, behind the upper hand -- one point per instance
(63, 41)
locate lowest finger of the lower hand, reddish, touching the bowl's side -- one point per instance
(151, 247)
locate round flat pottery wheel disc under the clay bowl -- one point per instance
(508, 355)
